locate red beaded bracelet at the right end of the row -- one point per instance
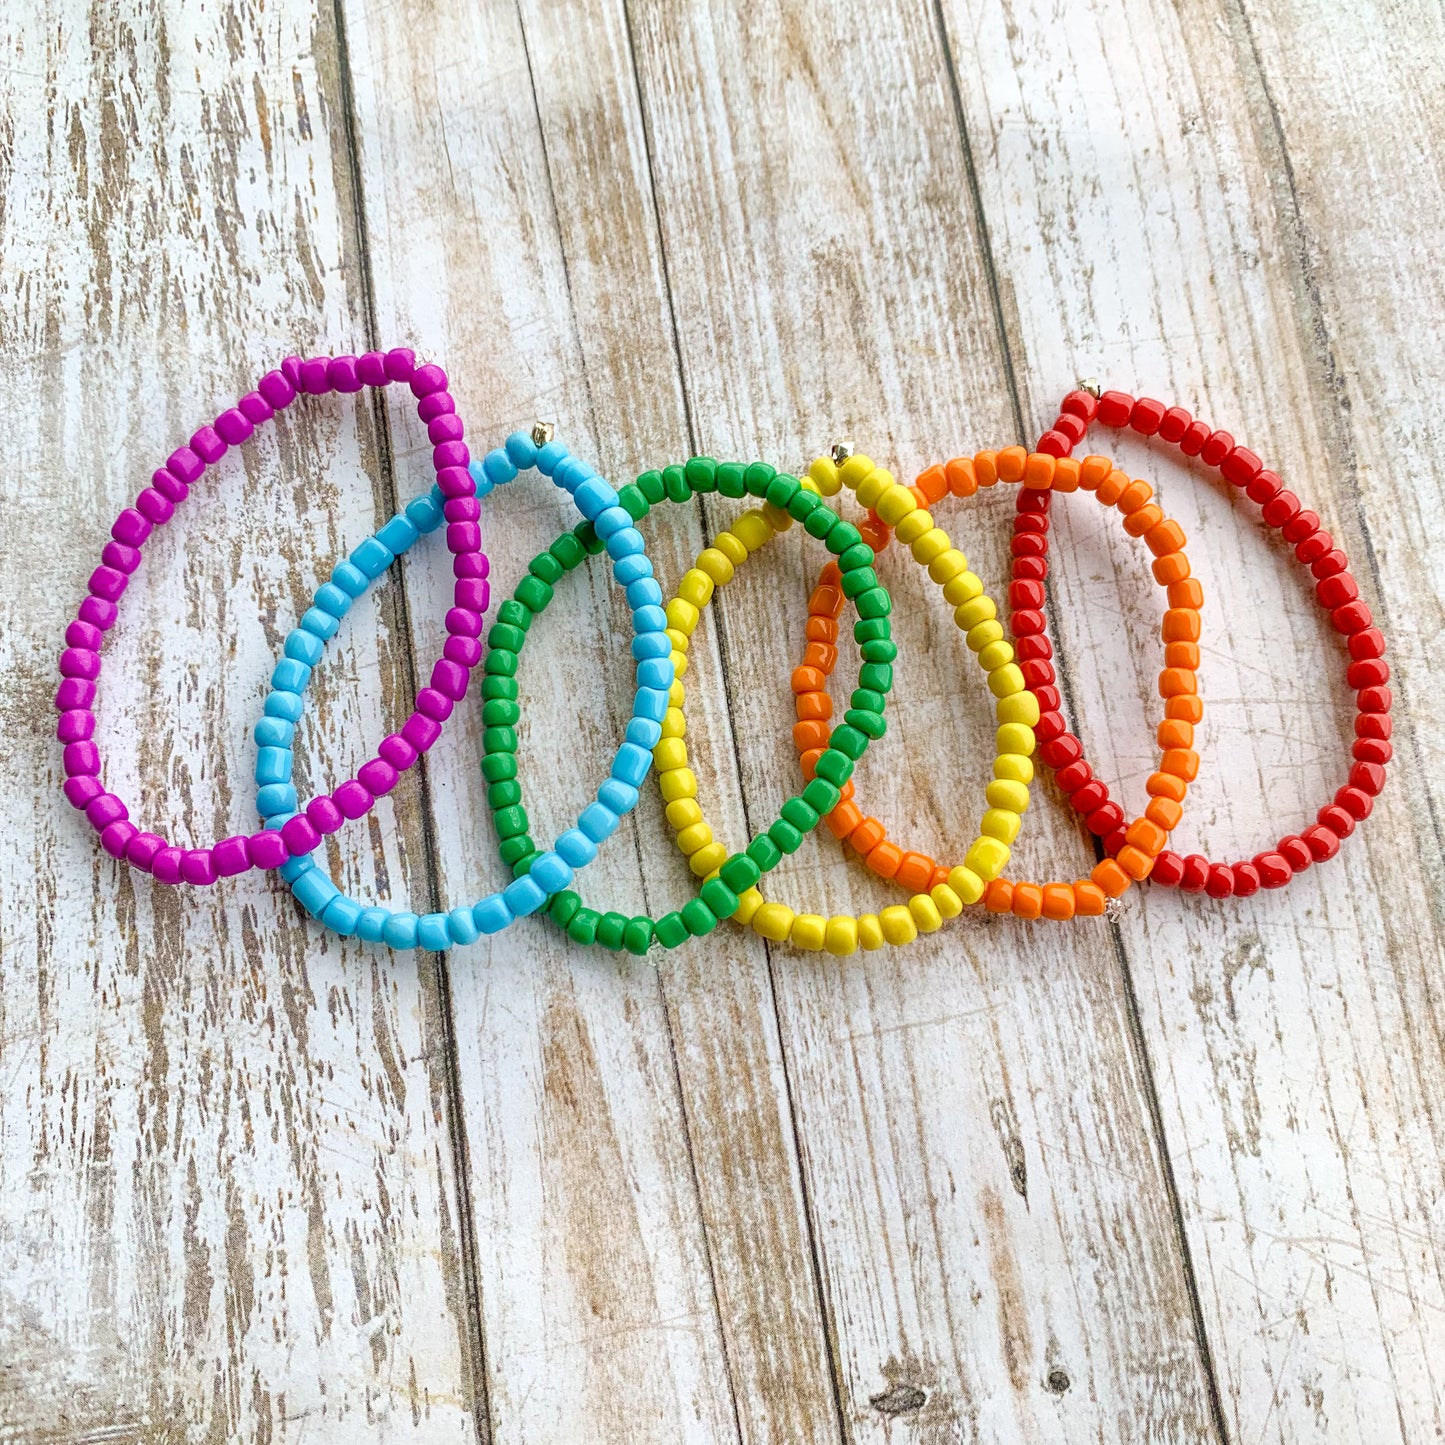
(1336, 590)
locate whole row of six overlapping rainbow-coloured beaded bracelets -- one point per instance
(1019, 677)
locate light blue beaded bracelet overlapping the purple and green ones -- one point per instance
(550, 872)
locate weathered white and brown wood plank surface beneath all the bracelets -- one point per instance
(1178, 1180)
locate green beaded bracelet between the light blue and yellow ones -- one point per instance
(722, 895)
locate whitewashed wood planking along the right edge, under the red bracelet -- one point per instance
(1141, 210)
